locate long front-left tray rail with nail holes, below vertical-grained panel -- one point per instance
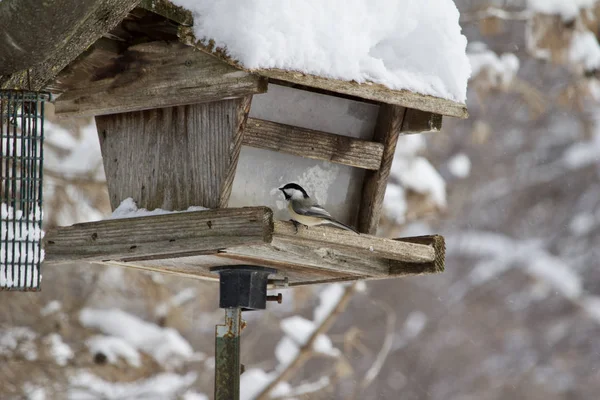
(160, 236)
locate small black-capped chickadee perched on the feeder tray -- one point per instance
(305, 210)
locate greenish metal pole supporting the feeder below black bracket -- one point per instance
(227, 356)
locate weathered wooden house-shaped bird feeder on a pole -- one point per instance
(182, 125)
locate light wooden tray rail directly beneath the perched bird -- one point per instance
(358, 245)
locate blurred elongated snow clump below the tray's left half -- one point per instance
(165, 345)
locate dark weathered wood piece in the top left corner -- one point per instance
(46, 36)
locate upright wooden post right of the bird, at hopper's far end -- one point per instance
(387, 129)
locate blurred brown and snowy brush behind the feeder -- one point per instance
(515, 190)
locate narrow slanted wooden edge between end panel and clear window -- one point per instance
(241, 116)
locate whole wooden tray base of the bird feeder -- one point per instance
(190, 243)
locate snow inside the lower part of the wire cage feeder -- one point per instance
(18, 228)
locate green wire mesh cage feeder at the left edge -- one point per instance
(21, 172)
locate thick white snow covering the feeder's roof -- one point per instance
(414, 45)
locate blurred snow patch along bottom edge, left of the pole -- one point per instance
(165, 386)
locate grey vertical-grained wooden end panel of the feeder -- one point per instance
(172, 158)
